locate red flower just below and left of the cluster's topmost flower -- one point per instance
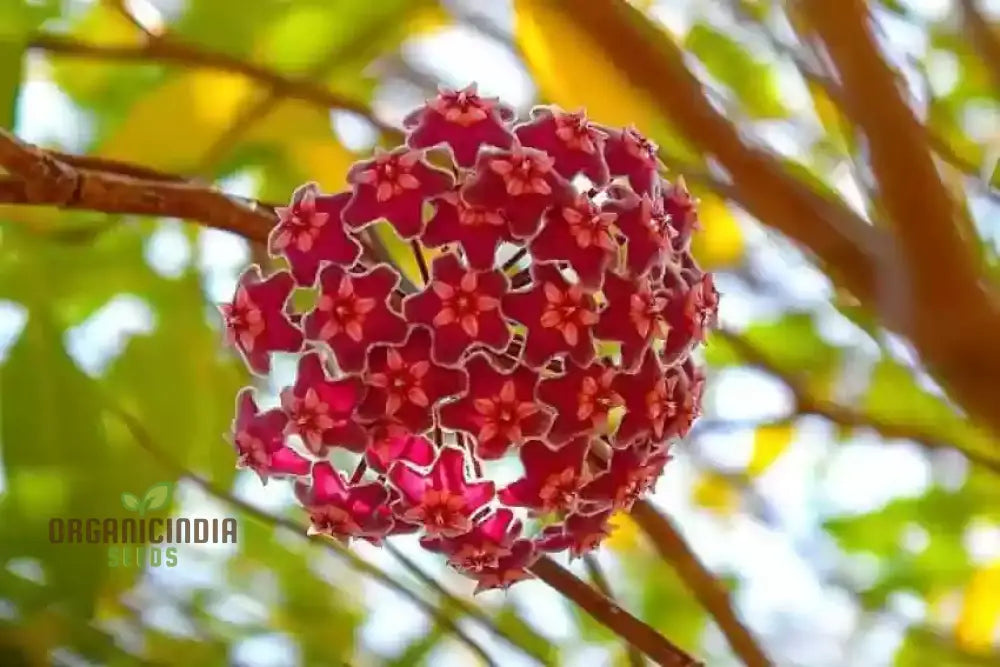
(394, 186)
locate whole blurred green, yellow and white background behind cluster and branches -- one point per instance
(850, 507)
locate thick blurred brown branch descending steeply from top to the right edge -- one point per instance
(955, 305)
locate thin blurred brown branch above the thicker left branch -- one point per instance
(169, 50)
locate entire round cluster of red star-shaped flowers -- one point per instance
(554, 326)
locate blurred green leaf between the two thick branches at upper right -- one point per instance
(729, 62)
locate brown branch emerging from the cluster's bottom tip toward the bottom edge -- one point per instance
(608, 613)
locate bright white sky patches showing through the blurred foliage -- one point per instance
(782, 596)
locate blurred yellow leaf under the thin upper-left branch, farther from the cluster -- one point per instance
(171, 126)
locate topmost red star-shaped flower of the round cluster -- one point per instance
(463, 120)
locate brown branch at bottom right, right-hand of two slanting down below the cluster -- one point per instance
(706, 588)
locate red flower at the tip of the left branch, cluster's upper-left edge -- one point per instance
(310, 231)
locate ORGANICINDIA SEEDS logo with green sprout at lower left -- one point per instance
(145, 539)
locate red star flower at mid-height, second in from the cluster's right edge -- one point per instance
(635, 316)
